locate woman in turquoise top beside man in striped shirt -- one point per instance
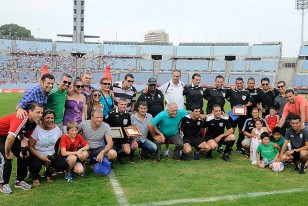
(107, 96)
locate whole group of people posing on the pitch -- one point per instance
(61, 125)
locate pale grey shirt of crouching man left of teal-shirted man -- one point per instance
(142, 125)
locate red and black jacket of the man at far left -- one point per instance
(10, 124)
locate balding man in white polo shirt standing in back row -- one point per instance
(173, 90)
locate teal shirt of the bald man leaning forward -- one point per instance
(167, 125)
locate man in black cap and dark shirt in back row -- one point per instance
(153, 97)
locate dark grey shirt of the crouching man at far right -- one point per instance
(297, 139)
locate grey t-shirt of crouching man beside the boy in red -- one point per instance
(94, 137)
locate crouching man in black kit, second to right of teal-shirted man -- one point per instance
(215, 126)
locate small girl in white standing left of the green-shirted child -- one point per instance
(255, 141)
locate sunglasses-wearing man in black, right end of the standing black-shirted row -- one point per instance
(266, 97)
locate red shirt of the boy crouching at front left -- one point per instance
(70, 146)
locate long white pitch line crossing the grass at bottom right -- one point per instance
(219, 198)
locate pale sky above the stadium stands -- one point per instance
(185, 21)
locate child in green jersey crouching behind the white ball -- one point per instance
(267, 151)
